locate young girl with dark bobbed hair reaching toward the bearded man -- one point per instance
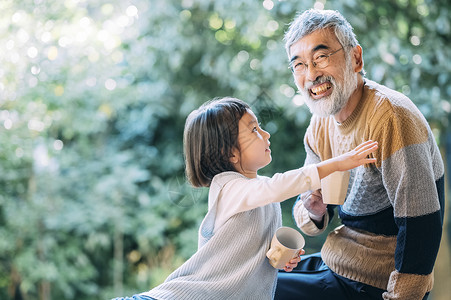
(224, 148)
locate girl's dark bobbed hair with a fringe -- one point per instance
(211, 134)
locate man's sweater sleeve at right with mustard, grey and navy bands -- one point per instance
(412, 174)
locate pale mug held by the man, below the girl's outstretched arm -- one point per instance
(334, 187)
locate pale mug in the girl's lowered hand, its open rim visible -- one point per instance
(286, 244)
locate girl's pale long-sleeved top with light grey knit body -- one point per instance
(231, 260)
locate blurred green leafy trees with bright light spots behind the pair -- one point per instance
(93, 99)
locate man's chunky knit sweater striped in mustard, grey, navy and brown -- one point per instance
(393, 214)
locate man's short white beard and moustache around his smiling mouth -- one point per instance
(335, 102)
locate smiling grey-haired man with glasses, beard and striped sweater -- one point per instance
(393, 214)
